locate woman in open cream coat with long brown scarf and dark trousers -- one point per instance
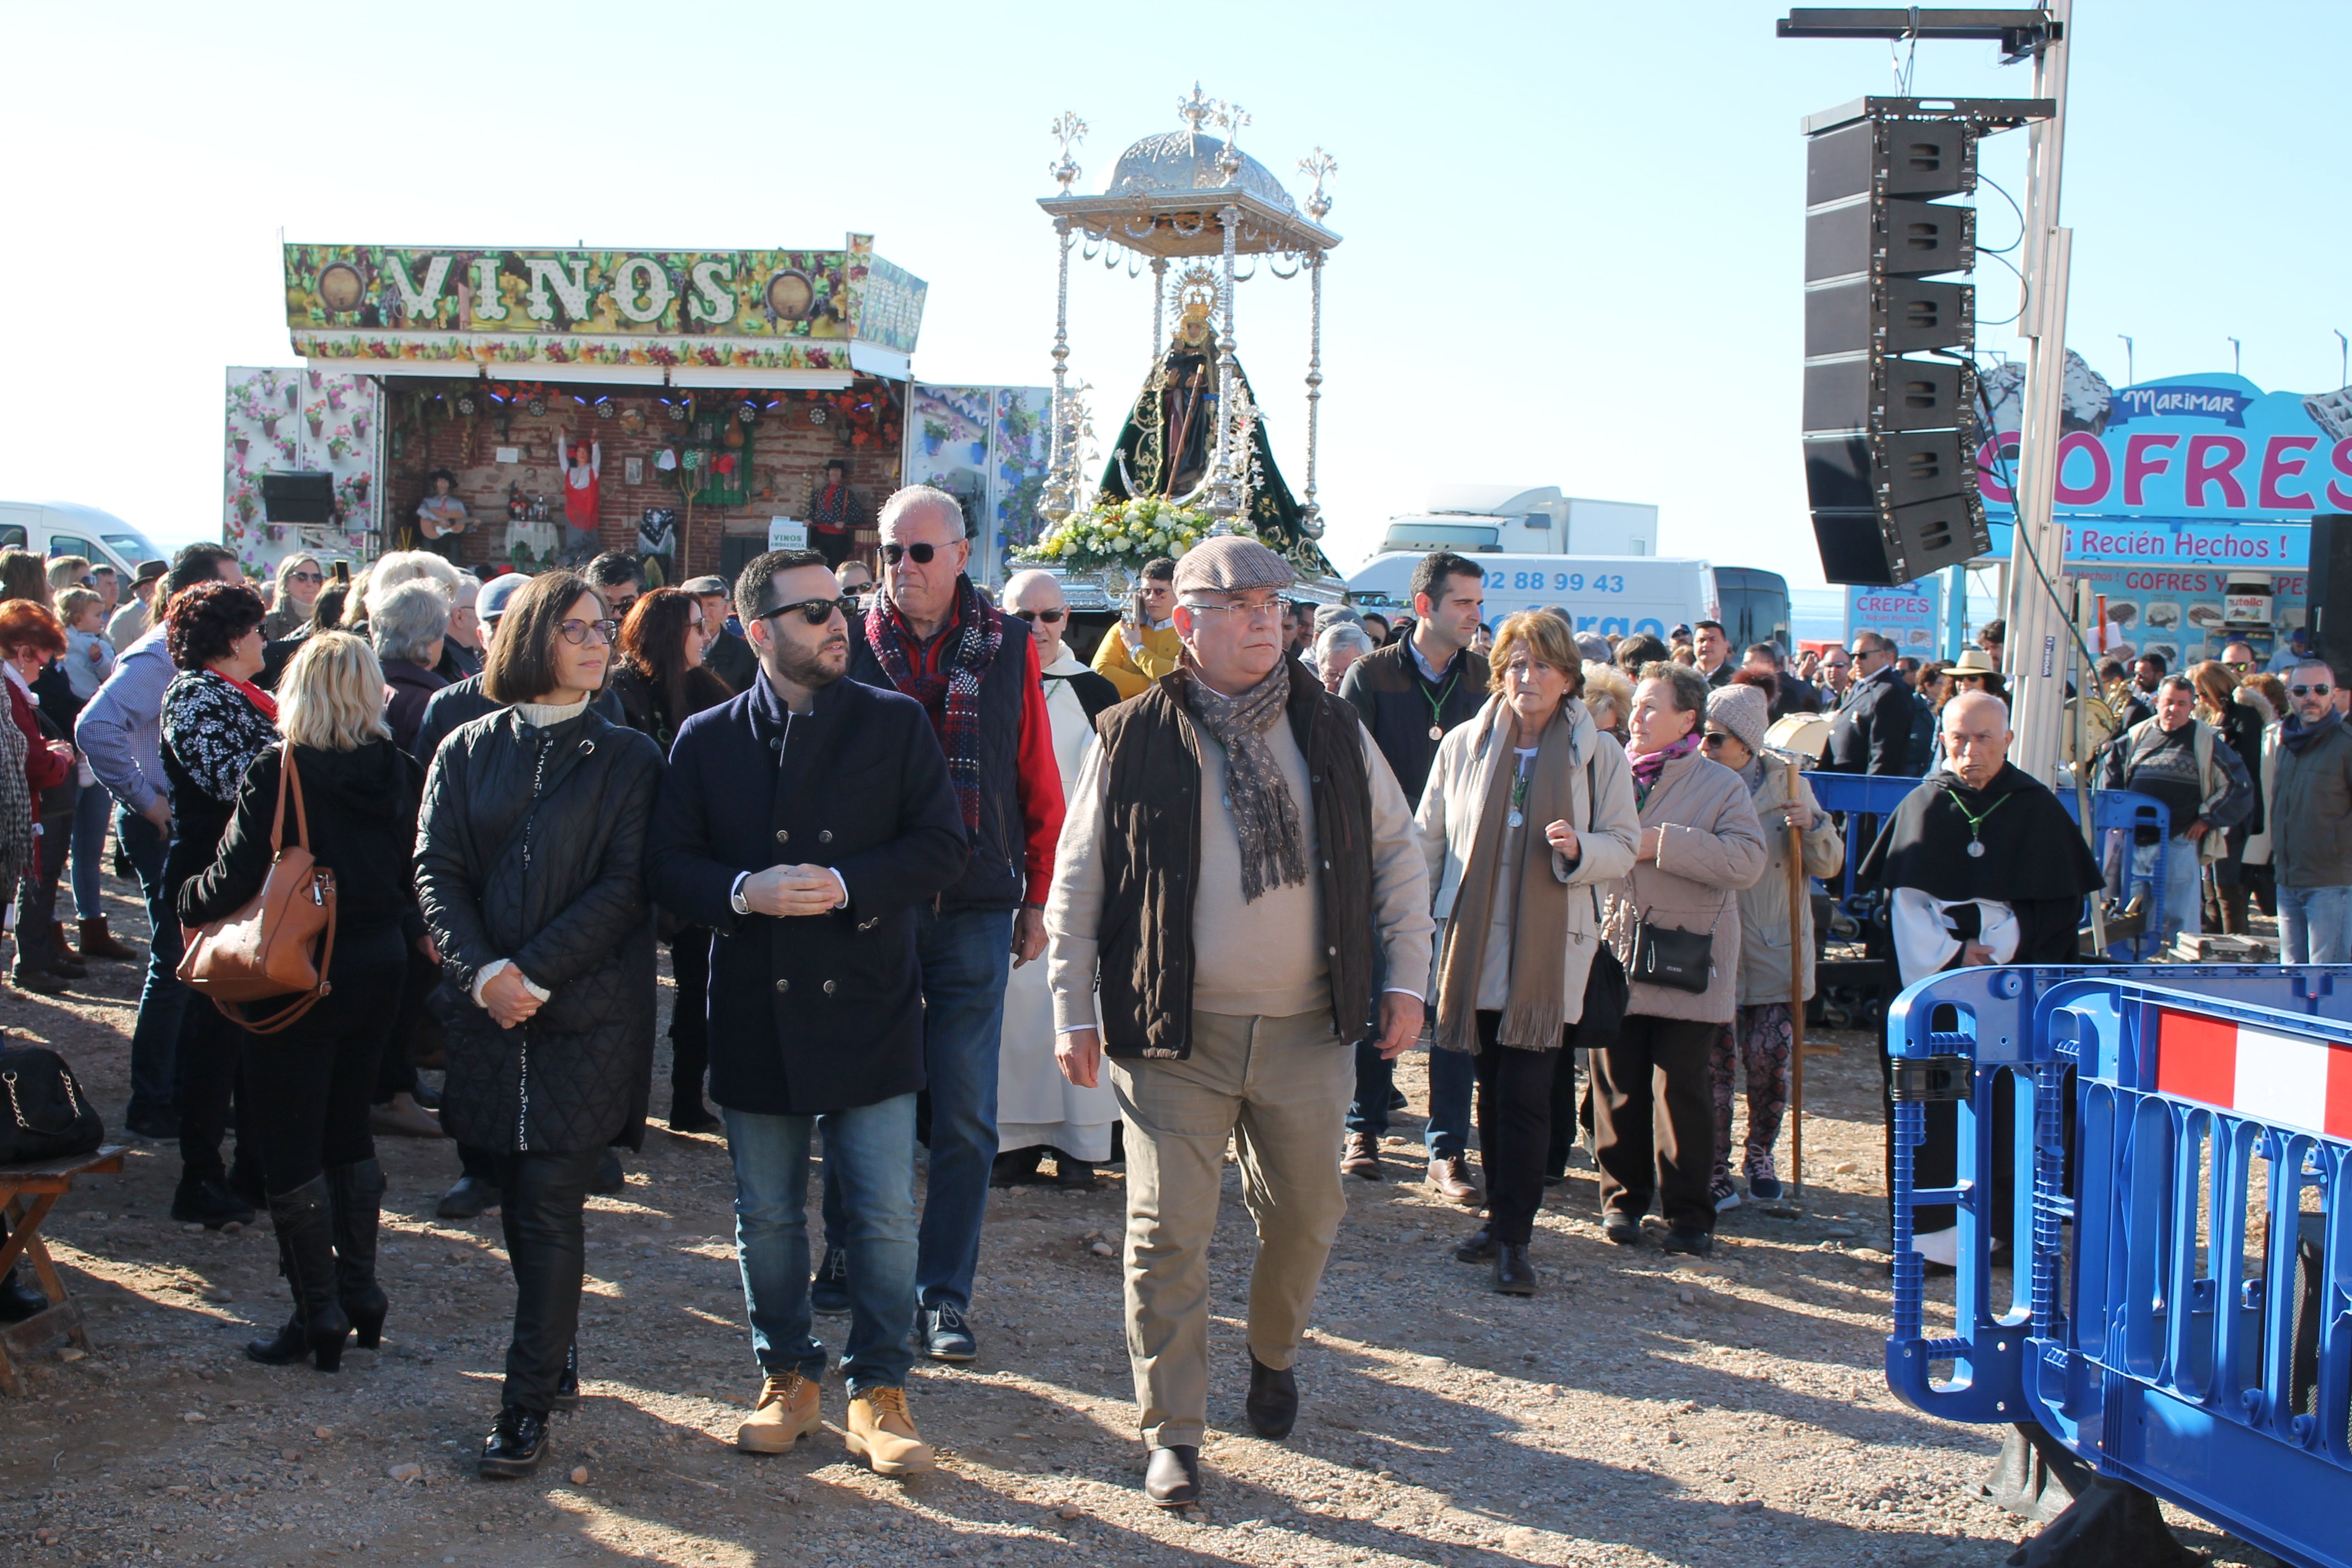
(1525, 817)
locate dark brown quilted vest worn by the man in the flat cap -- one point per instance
(1151, 862)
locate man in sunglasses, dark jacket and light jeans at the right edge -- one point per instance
(2308, 760)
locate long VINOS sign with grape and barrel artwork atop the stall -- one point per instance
(601, 307)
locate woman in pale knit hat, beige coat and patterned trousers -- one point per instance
(1763, 1033)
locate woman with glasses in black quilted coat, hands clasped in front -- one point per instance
(530, 869)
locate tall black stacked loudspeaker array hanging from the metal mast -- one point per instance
(1890, 384)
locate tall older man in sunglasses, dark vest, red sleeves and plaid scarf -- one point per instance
(930, 636)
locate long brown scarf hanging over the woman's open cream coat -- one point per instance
(1539, 937)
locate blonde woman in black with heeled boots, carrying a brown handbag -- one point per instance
(314, 1080)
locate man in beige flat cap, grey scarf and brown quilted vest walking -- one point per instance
(1238, 864)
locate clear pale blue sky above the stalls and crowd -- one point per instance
(1572, 232)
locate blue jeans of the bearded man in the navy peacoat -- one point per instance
(871, 1155)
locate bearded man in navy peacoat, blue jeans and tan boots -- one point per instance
(815, 986)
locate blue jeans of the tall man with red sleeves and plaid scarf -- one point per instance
(965, 963)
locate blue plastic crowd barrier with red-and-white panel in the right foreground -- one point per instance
(2181, 1311)
